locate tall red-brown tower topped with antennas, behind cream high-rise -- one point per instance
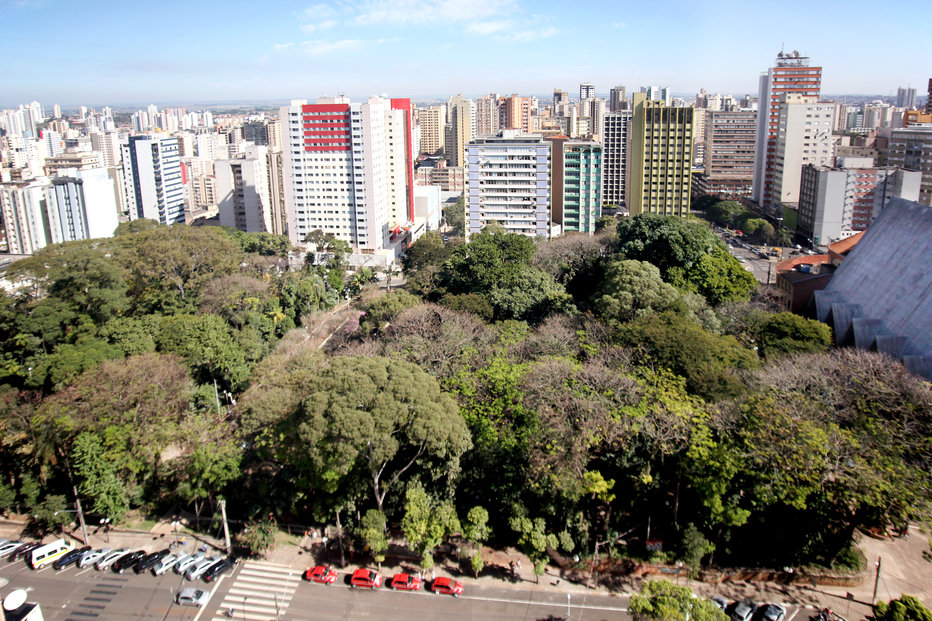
(791, 74)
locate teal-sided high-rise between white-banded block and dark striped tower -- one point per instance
(575, 184)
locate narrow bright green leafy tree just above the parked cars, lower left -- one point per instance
(98, 478)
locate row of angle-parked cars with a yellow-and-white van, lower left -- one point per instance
(62, 554)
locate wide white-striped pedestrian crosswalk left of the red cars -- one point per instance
(260, 592)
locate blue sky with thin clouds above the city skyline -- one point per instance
(84, 51)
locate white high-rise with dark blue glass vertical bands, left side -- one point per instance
(154, 179)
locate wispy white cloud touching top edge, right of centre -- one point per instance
(434, 12)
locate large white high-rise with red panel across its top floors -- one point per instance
(348, 170)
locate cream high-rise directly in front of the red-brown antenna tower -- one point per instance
(804, 136)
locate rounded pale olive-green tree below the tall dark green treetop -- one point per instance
(631, 289)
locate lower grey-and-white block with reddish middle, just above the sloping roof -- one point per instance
(835, 203)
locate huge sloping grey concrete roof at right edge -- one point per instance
(887, 277)
